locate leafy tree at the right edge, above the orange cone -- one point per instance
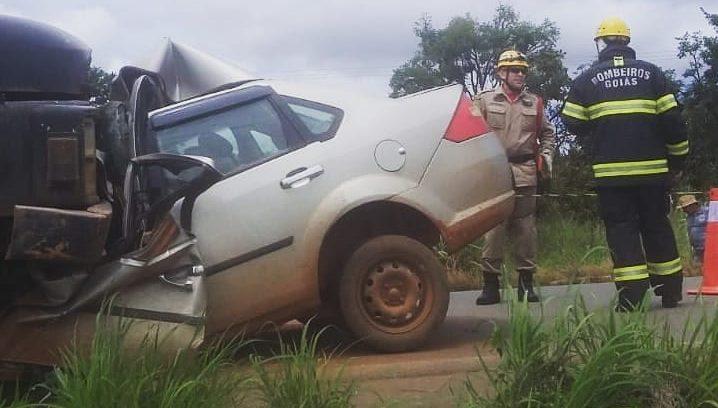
(701, 104)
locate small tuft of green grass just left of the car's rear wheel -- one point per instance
(297, 378)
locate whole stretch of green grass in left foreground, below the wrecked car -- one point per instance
(223, 375)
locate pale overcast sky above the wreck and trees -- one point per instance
(357, 41)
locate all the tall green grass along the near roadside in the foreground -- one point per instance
(577, 359)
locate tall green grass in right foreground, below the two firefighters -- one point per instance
(601, 359)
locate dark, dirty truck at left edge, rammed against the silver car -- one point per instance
(48, 158)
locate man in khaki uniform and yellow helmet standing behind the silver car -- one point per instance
(517, 117)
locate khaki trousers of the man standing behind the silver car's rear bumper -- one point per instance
(520, 230)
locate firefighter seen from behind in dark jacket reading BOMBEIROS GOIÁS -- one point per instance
(623, 109)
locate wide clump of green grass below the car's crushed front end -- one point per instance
(112, 376)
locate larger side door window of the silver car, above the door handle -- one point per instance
(235, 138)
